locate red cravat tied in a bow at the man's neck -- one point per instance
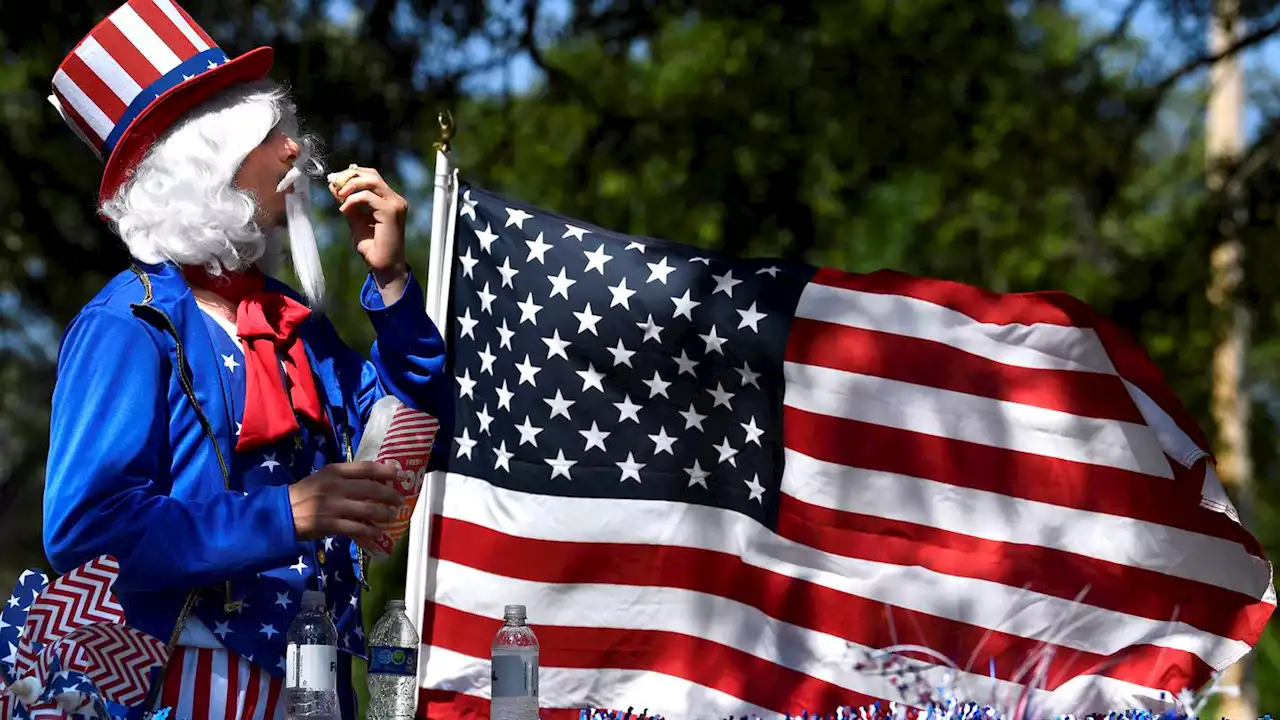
(267, 325)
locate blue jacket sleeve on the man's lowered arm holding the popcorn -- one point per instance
(108, 482)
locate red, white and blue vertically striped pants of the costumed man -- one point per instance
(218, 685)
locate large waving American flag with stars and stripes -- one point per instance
(721, 485)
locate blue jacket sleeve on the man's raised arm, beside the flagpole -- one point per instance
(408, 358)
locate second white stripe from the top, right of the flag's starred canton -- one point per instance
(958, 416)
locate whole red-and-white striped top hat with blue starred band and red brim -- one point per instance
(135, 75)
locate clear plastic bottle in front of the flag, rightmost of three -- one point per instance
(514, 677)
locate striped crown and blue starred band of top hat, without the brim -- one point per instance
(130, 61)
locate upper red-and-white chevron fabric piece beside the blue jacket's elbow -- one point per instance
(80, 599)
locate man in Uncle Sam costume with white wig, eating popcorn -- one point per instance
(205, 414)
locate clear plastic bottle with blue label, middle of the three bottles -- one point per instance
(394, 666)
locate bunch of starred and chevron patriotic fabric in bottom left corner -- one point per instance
(70, 651)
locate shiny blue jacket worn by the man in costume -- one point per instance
(141, 439)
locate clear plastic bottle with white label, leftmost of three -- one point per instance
(312, 663)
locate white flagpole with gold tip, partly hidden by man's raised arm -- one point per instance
(440, 270)
